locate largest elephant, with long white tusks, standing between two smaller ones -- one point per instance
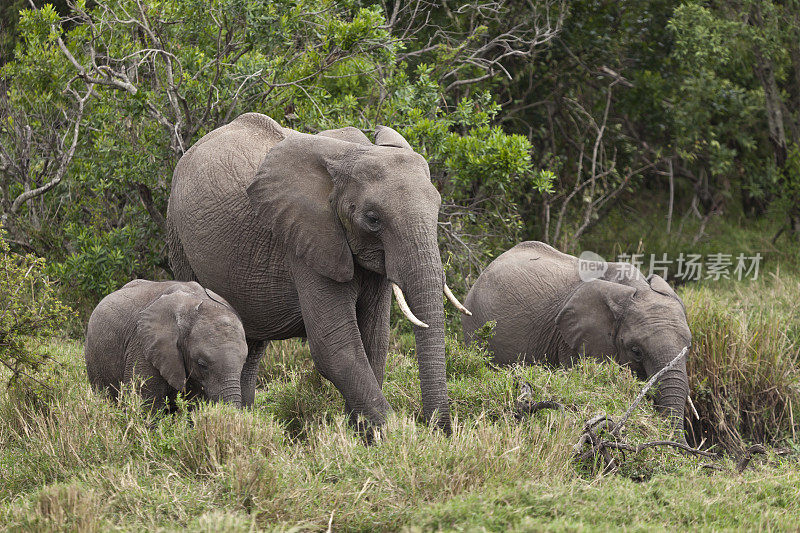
(303, 234)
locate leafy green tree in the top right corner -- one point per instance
(740, 68)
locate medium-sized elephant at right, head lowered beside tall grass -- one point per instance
(546, 313)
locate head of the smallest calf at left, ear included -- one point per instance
(190, 339)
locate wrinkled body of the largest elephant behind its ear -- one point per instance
(216, 237)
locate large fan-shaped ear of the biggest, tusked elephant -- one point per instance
(292, 192)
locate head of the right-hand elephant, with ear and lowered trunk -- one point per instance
(643, 326)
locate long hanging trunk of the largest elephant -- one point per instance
(422, 280)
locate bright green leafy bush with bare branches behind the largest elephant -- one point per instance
(140, 81)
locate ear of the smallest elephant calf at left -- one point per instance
(160, 327)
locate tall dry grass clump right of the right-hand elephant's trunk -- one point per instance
(743, 372)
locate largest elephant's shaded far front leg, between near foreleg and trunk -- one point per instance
(372, 311)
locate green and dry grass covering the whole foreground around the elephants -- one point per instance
(72, 460)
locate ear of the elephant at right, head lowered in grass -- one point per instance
(588, 319)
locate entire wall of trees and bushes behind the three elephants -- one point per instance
(537, 118)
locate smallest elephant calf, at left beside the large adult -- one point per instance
(175, 336)
